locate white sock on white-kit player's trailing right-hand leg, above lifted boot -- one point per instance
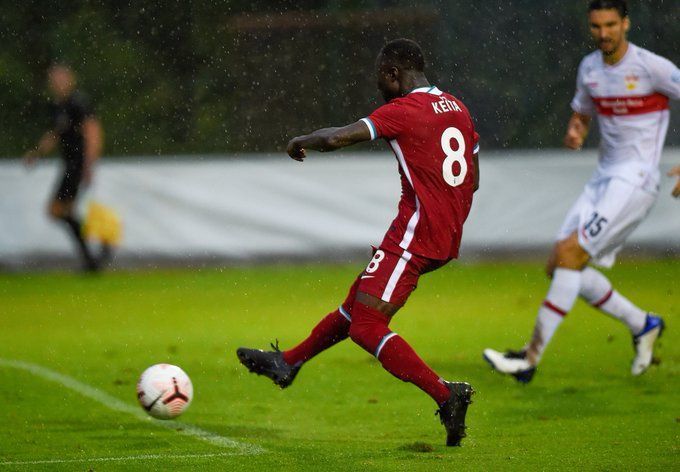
(597, 290)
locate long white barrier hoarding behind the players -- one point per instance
(245, 207)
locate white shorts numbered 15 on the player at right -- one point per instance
(605, 215)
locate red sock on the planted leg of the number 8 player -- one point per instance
(370, 330)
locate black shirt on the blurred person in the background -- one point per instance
(67, 118)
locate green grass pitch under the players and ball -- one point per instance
(582, 411)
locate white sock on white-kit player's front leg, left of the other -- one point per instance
(560, 299)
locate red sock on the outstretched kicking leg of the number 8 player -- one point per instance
(330, 330)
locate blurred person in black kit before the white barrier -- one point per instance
(79, 134)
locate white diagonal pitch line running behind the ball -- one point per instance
(115, 404)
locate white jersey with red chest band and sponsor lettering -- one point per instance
(631, 102)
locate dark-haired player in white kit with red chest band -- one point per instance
(628, 88)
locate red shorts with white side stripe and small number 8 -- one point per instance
(391, 275)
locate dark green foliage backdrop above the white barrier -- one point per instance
(222, 76)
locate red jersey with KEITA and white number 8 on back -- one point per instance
(434, 139)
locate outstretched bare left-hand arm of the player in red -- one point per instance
(328, 139)
